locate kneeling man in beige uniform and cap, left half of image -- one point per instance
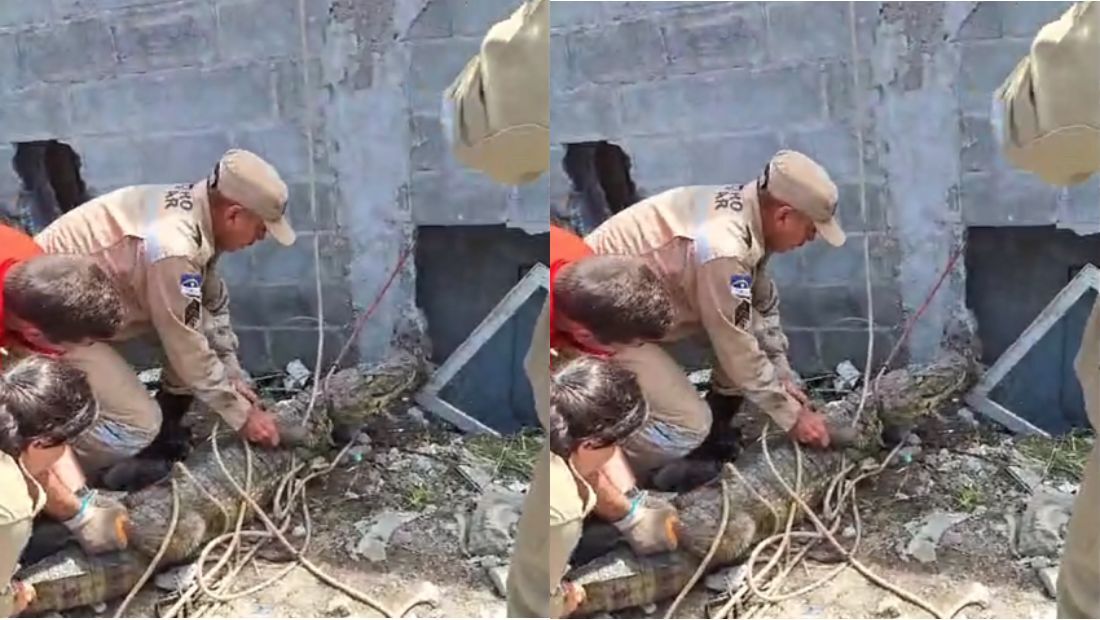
(161, 243)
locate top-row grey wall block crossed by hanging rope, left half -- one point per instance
(263, 29)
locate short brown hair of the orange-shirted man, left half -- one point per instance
(69, 298)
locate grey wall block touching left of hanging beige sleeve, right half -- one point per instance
(984, 67)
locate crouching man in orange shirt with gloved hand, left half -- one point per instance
(50, 305)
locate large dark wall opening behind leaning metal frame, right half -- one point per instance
(1013, 274)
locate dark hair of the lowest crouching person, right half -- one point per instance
(593, 400)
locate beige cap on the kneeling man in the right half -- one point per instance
(798, 181)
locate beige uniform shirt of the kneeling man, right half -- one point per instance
(708, 245)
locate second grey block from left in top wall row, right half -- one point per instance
(716, 39)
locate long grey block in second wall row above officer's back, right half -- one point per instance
(739, 101)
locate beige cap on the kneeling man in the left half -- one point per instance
(246, 179)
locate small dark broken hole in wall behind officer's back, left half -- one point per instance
(52, 185)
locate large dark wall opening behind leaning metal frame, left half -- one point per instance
(463, 274)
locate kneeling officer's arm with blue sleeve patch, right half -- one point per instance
(727, 311)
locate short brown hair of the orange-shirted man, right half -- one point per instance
(618, 298)
